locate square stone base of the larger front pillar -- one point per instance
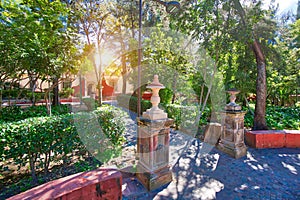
(154, 180)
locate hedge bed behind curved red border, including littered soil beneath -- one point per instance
(35, 149)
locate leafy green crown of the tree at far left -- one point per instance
(43, 40)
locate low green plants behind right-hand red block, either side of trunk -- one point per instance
(278, 118)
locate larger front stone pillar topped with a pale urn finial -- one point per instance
(153, 168)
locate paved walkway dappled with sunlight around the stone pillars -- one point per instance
(201, 171)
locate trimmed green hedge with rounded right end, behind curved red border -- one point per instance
(42, 140)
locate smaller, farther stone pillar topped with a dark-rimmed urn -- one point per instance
(232, 132)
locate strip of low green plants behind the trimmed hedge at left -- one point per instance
(16, 113)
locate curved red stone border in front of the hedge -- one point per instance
(97, 184)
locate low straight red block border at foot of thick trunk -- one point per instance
(273, 138)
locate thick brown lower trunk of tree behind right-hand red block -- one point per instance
(259, 122)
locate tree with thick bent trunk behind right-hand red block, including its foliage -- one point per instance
(234, 35)
